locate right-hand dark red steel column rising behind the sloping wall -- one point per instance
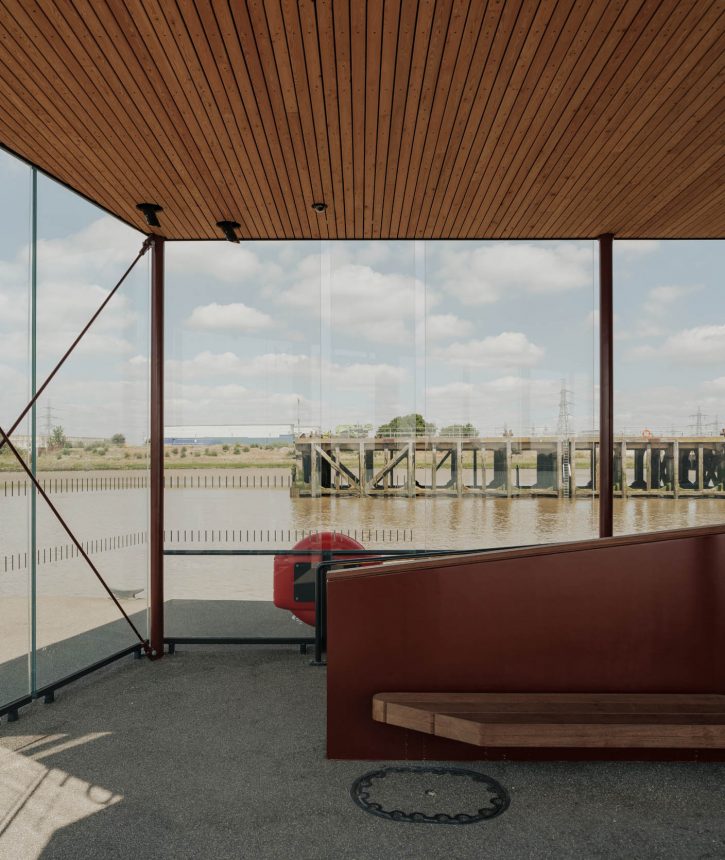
(606, 387)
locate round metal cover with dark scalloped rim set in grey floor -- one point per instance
(430, 795)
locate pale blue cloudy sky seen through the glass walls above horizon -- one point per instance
(344, 332)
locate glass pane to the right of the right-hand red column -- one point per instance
(669, 411)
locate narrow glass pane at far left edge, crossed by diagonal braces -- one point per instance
(15, 240)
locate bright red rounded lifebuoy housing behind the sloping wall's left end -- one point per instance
(294, 576)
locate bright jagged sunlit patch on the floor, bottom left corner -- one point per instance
(36, 801)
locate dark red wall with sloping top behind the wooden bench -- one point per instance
(644, 614)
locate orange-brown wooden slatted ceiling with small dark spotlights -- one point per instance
(408, 118)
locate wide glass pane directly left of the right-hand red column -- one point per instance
(510, 360)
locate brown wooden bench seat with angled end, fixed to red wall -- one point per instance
(631, 720)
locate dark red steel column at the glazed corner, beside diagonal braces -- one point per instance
(156, 530)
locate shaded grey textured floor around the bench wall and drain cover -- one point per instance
(219, 753)
